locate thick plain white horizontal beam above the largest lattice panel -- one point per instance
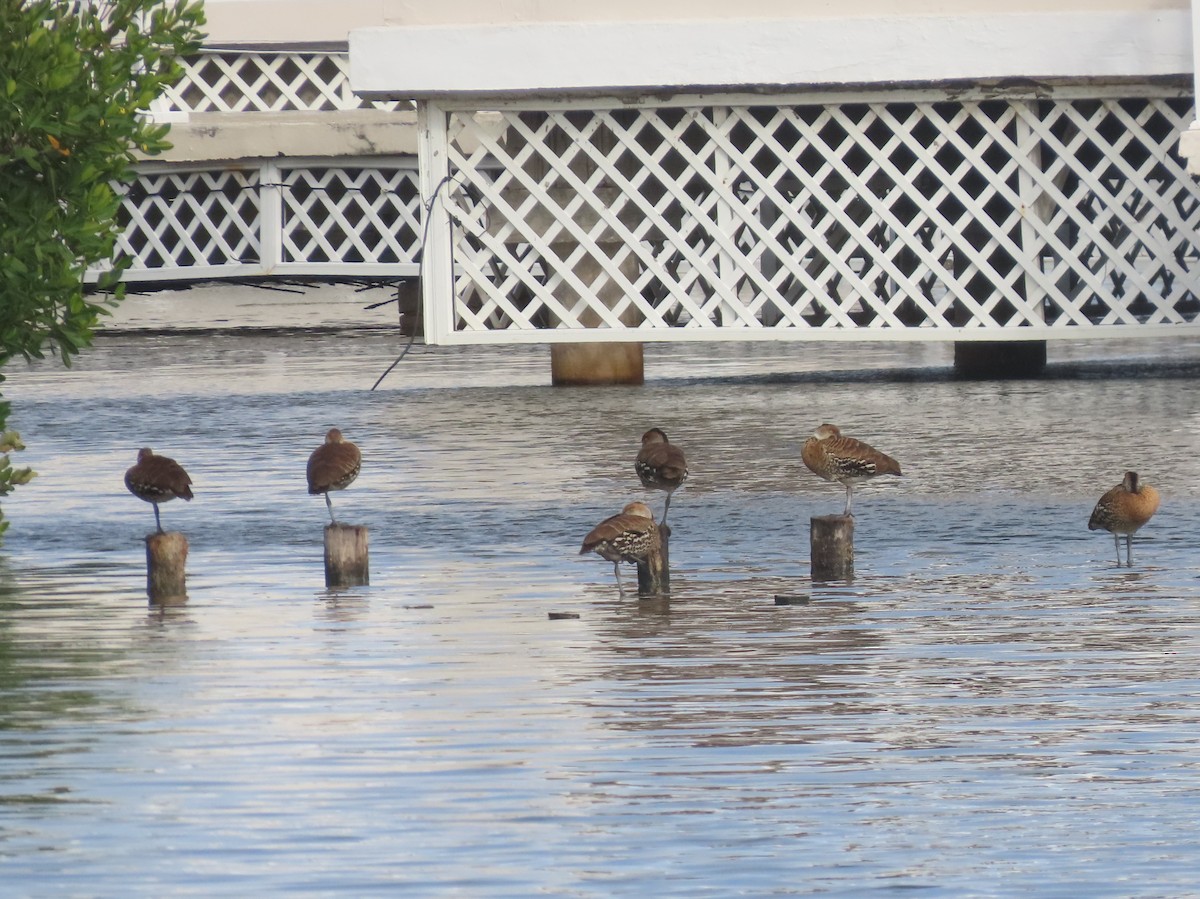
(565, 58)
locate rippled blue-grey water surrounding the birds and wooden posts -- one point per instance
(992, 709)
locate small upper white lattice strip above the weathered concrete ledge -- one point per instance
(218, 82)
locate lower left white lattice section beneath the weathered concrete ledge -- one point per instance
(301, 219)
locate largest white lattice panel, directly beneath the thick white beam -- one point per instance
(880, 217)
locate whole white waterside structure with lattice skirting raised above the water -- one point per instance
(983, 177)
